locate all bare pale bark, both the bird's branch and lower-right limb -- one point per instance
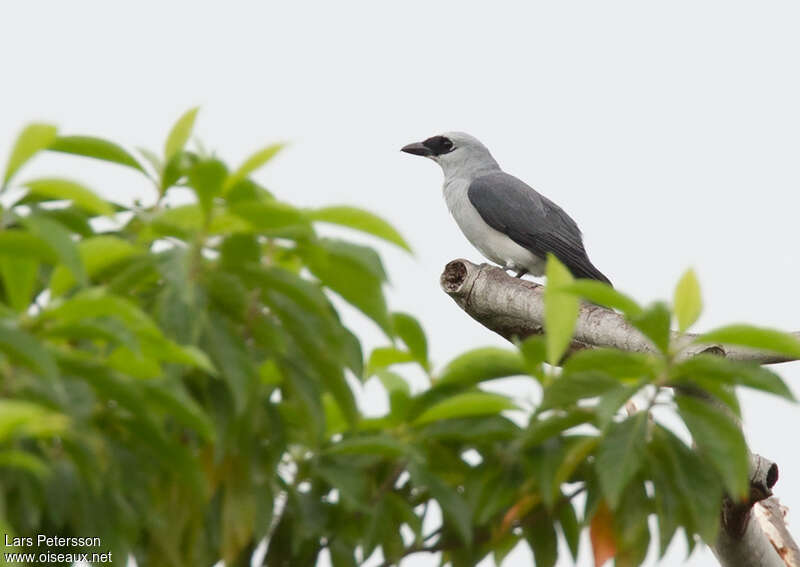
(754, 532)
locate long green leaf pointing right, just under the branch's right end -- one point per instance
(704, 369)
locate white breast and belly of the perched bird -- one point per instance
(493, 244)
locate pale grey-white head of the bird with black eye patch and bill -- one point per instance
(458, 154)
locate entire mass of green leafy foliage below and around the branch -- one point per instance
(177, 381)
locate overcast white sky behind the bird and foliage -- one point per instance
(670, 132)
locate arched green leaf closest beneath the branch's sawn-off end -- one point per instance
(481, 364)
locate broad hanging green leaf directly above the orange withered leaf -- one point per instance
(621, 455)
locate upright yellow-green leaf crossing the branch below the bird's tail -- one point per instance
(560, 310)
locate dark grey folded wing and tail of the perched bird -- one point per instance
(531, 220)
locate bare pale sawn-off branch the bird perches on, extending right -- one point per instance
(513, 307)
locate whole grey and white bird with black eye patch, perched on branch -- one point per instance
(508, 221)
